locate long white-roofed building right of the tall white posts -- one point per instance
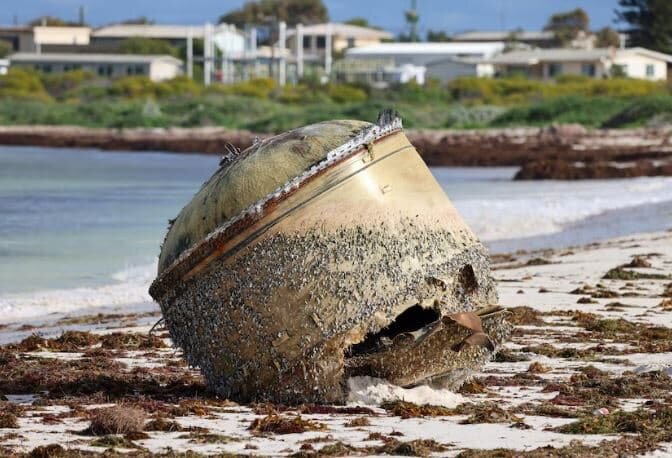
(442, 61)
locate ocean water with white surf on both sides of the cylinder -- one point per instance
(82, 228)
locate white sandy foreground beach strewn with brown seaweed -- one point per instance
(586, 373)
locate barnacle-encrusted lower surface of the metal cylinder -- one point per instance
(336, 287)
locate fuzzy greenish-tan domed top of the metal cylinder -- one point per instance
(251, 175)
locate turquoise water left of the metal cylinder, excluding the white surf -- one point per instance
(75, 217)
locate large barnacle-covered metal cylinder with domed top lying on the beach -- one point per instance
(323, 253)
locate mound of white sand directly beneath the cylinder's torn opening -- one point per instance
(374, 391)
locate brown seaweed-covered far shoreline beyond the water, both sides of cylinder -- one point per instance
(549, 152)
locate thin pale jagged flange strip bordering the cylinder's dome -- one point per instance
(388, 121)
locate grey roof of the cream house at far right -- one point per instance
(533, 56)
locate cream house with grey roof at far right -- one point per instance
(547, 64)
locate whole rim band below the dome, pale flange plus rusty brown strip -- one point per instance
(215, 243)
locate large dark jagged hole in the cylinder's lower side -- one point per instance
(411, 319)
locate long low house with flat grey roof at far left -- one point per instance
(155, 67)
